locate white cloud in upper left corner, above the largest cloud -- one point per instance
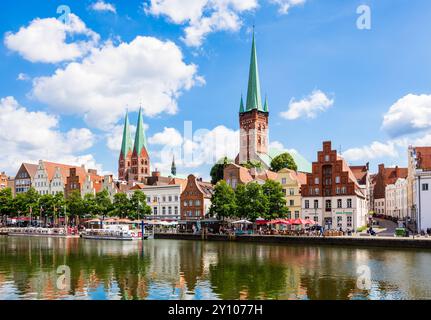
(45, 40)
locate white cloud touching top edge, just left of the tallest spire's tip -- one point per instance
(202, 17)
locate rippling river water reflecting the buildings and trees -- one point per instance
(44, 268)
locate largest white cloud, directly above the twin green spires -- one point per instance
(112, 77)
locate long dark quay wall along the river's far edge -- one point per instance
(385, 242)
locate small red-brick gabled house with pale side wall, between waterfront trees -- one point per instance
(196, 199)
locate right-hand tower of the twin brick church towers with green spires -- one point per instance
(140, 168)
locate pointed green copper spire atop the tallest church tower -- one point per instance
(254, 100)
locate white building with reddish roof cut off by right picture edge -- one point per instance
(419, 181)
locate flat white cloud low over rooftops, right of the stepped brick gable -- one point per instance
(376, 150)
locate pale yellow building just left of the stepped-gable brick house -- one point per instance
(291, 182)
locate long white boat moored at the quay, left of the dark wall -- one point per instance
(113, 232)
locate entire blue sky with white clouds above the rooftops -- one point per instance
(366, 90)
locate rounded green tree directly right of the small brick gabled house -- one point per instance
(223, 202)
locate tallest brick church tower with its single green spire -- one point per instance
(253, 117)
